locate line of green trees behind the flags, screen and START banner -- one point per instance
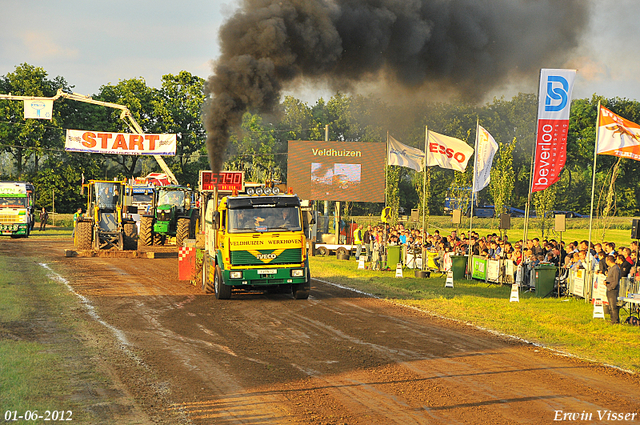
(34, 149)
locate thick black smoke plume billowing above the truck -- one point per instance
(468, 46)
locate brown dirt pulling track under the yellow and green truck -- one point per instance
(338, 357)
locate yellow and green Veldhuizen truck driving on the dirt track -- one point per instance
(255, 243)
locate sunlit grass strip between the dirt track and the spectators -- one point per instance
(562, 324)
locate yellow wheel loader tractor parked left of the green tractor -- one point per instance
(106, 224)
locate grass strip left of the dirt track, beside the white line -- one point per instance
(33, 372)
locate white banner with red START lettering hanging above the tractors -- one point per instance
(120, 143)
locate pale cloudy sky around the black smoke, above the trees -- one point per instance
(92, 43)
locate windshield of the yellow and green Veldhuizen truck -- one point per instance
(259, 219)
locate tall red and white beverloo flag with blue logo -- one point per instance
(554, 106)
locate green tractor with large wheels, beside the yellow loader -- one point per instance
(172, 215)
